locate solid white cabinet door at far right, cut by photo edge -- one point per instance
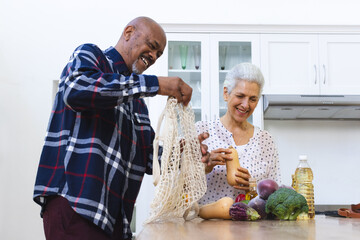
(339, 64)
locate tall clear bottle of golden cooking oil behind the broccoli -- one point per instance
(303, 184)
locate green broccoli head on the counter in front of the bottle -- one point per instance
(286, 204)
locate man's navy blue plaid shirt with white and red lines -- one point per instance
(99, 139)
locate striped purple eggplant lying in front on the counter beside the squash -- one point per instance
(242, 212)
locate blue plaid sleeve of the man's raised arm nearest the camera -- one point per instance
(90, 82)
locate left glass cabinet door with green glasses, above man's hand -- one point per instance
(187, 59)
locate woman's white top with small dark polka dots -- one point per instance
(259, 156)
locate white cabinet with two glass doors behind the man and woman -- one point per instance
(217, 53)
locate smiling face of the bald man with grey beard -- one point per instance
(146, 45)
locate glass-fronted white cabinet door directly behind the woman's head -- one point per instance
(226, 51)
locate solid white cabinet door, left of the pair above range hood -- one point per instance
(290, 63)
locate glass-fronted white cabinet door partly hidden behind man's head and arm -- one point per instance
(186, 56)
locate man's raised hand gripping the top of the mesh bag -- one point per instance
(175, 87)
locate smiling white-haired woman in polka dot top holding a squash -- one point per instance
(256, 149)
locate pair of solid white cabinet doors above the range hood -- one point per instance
(310, 63)
